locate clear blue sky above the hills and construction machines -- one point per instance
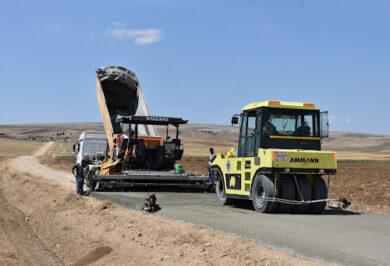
(201, 60)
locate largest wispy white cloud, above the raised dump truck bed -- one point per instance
(140, 36)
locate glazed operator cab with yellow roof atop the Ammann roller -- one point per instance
(280, 125)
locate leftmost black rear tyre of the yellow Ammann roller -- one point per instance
(263, 187)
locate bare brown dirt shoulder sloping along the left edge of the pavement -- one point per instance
(43, 222)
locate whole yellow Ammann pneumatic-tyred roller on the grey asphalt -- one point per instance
(278, 162)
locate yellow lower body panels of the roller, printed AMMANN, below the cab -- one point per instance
(238, 172)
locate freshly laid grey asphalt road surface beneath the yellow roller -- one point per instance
(334, 236)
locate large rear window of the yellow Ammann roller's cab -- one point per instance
(291, 122)
